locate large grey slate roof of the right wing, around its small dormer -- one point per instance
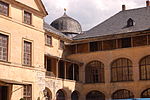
(117, 24)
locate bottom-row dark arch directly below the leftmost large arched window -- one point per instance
(95, 95)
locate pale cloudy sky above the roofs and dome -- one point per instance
(89, 13)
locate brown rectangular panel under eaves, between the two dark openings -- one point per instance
(109, 44)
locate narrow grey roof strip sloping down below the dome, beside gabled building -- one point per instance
(49, 28)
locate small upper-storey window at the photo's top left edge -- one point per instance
(4, 8)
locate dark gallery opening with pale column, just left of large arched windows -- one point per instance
(74, 72)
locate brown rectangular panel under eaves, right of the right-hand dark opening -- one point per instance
(140, 40)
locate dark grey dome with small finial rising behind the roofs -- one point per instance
(67, 25)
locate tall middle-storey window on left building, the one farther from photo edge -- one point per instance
(27, 53)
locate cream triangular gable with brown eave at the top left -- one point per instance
(34, 4)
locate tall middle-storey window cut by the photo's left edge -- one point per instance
(3, 47)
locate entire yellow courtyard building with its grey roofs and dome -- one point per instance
(39, 61)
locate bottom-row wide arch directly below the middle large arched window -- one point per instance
(122, 94)
